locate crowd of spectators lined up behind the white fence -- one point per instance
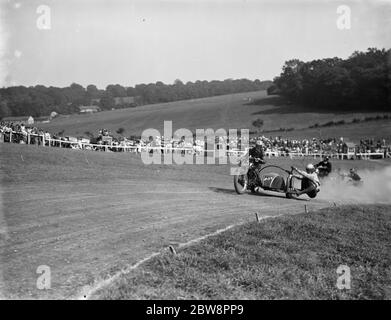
(104, 141)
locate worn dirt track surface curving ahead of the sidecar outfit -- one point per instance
(87, 215)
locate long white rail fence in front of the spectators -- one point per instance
(169, 149)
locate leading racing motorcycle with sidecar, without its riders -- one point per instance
(254, 178)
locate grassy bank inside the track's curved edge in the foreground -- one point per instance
(291, 257)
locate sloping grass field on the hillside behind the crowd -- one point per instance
(228, 111)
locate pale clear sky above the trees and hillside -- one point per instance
(129, 42)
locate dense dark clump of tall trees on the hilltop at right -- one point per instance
(361, 82)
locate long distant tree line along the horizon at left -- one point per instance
(41, 100)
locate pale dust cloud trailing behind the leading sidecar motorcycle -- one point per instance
(376, 188)
